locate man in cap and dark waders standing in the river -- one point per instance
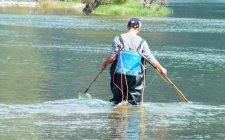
(128, 65)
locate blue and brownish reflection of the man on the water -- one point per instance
(128, 123)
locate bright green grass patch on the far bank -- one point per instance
(131, 9)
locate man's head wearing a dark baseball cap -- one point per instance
(134, 24)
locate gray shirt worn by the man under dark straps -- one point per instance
(132, 42)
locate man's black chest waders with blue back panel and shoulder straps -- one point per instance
(127, 76)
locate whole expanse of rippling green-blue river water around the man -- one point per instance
(46, 57)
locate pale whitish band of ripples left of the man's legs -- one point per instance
(57, 108)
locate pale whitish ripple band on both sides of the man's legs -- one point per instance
(71, 106)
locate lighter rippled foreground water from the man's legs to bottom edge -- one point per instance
(96, 119)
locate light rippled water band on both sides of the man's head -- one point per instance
(100, 23)
